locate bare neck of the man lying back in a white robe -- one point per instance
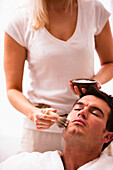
(75, 157)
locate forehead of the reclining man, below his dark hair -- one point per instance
(91, 100)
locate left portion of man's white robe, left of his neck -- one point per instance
(33, 161)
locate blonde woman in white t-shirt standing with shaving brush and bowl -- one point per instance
(58, 39)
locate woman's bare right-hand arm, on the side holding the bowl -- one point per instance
(104, 48)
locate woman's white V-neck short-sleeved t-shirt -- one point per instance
(53, 62)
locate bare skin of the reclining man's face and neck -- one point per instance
(81, 146)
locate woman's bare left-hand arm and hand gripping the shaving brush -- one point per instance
(14, 60)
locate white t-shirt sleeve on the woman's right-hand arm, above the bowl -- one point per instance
(101, 17)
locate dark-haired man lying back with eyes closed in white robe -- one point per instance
(89, 131)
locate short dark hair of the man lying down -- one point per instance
(109, 100)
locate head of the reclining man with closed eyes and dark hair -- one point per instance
(91, 120)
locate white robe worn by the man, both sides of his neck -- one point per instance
(51, 160)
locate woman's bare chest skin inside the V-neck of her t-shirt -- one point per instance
(62, 18)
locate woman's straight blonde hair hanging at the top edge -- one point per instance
(40, 14)
